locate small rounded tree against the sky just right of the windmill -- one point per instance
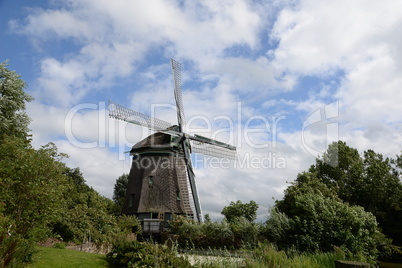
(237, 209)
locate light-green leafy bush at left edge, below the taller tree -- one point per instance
(31, 184)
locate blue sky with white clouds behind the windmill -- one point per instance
(278, 79)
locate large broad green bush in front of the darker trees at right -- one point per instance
(312, 221)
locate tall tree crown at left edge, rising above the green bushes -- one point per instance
(13, 119)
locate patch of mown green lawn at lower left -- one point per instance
(64, 258)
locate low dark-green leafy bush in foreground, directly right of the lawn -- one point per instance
(135, 254)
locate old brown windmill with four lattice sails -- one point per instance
(161, 180)
